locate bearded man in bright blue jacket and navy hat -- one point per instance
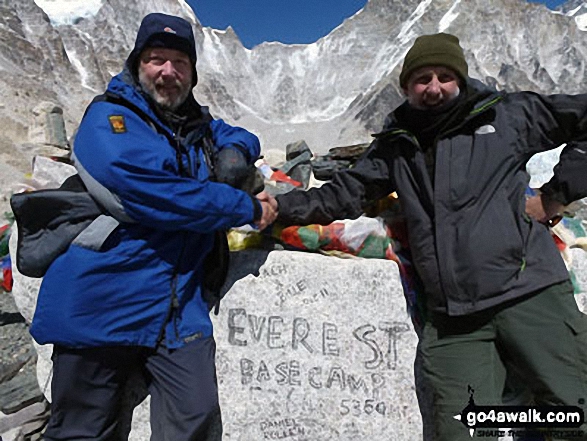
(128, 293)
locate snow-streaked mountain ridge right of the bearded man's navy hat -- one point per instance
(341, 87)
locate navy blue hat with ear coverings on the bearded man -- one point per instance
(167, 31)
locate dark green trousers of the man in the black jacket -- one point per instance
(539, 341)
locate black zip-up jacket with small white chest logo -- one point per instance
(473, 244)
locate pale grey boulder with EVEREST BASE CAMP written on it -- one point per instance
(309, 347)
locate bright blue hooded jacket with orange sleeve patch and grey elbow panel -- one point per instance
(135, 278)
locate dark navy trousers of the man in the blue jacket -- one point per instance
(88, 392)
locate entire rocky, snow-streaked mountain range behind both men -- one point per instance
(336, 90)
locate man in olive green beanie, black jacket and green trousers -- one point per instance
(497, 292)
